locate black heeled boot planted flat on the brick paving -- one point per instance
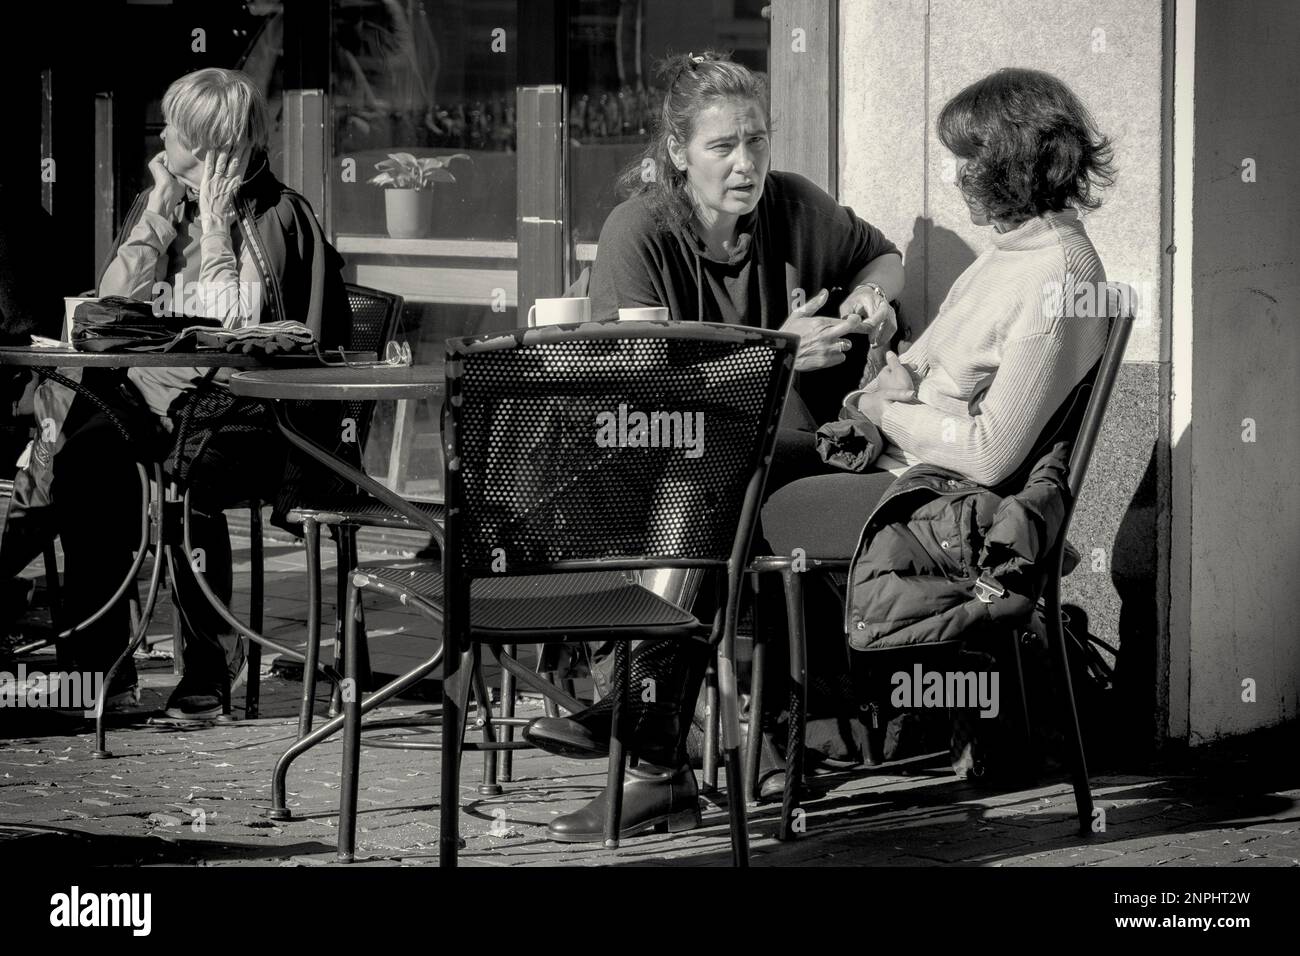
(655, 798)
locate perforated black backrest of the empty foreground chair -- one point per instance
(609, 445)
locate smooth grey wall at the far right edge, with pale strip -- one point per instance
(1237, 616)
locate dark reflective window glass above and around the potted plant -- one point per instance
(428, 79)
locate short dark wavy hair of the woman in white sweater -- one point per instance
(1030, 146)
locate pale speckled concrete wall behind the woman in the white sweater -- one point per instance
(900, 62)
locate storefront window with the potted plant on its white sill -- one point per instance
(430, 79)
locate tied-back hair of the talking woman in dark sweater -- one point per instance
(692, 84)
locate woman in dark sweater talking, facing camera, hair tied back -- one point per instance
(713, 235)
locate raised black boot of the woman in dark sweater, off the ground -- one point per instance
(660, 671)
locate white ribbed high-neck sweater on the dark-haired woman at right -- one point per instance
(1024, 312)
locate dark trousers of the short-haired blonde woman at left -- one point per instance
(97, 495)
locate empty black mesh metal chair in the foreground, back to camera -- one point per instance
(574, 456)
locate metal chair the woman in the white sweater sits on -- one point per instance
(1082, 416)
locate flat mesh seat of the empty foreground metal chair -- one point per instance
(540, 608)
